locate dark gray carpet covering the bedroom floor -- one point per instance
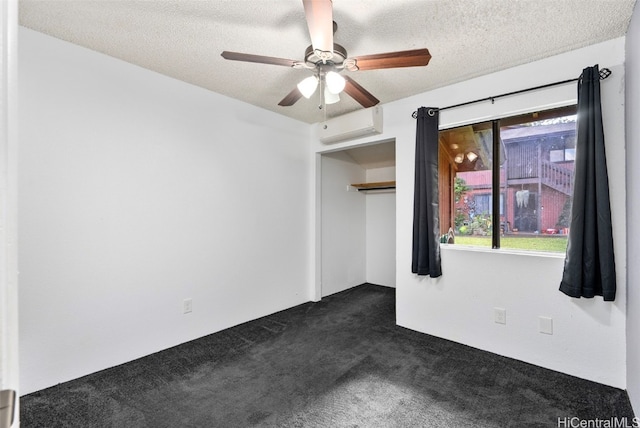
(341, 362)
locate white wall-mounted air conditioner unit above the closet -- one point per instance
(358, 124)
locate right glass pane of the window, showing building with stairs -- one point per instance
(536, 176)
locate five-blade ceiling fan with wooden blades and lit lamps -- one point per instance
(328, 59)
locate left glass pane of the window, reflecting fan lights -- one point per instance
(466, 153)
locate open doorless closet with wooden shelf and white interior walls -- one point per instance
(358, 217)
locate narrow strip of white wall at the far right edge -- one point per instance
(633, 208)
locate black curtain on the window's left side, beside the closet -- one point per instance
(426, 229)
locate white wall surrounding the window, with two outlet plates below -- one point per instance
(589, 334)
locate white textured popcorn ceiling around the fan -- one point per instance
(467, 38)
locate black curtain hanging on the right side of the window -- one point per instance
(589, 266)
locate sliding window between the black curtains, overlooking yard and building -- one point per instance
(517, 173)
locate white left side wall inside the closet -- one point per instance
(343, 215)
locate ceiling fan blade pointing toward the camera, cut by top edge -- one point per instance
(319, 14)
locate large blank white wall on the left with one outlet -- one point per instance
(136, 192)
